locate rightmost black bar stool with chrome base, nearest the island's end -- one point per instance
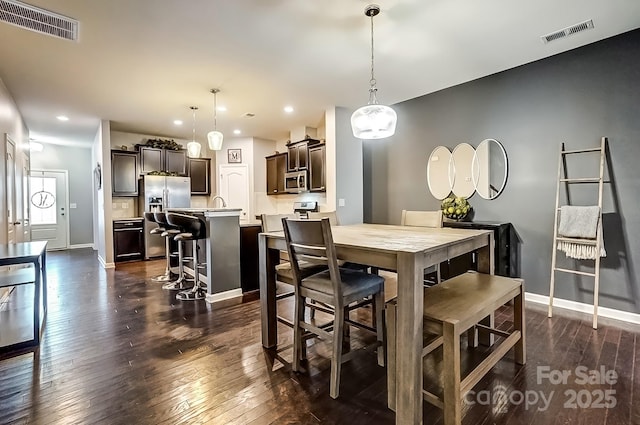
(192, 229)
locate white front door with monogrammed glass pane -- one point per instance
(48, 199)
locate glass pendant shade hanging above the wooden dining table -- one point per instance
(374, 122)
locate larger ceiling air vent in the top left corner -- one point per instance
(39, 20)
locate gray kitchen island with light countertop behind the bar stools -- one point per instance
(222, 247)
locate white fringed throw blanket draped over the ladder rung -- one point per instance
(580, 223)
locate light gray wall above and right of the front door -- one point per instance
(77, 161)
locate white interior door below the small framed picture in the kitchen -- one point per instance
(233, 186)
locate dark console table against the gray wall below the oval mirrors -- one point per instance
(506, 255)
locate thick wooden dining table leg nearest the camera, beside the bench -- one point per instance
(409, 337)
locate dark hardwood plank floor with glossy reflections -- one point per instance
(117, 349)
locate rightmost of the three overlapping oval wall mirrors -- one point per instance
(490, 169)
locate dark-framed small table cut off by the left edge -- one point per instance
(26, 253)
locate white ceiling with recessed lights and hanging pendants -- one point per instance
(142, 63)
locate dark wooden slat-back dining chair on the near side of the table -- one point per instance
(339, 287)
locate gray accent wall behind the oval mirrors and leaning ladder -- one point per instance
(575, 97)
